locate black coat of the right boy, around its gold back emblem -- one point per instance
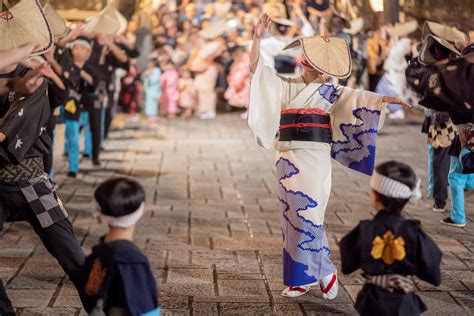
(422, 258)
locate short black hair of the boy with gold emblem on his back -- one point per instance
(400, 172)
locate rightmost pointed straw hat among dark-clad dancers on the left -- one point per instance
(107, 22)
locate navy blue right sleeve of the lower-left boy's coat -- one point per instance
(140, 288)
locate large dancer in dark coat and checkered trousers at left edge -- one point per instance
(26, 194)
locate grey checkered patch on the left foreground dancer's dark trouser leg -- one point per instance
(41, 195)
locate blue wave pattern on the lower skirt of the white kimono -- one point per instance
(306, 252)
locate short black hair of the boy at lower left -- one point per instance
(119, 196)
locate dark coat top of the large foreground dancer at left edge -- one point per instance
(24, 122)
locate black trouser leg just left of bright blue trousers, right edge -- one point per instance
(441, 163)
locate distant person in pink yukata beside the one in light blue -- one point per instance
(169, 89)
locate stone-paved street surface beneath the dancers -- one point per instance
(212, 233)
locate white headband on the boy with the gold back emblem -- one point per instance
(393, 188)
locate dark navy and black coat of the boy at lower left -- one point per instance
(119, 273)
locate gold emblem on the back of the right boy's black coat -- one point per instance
(389, 248)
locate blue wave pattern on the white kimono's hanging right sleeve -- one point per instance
(358, 151)
